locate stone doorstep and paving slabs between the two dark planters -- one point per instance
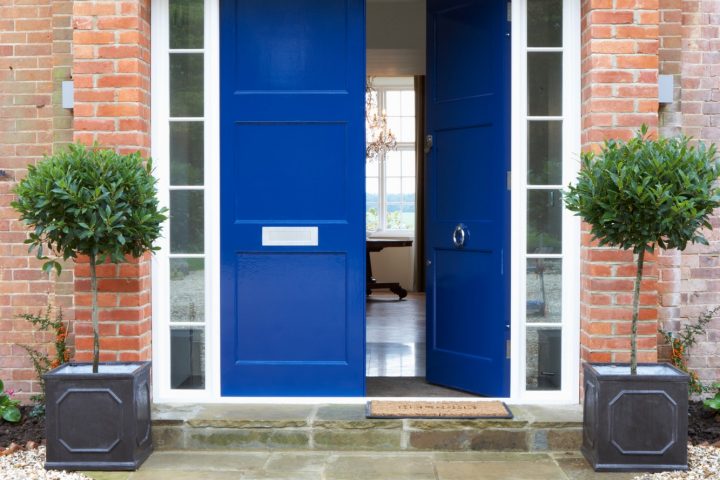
(337, 442)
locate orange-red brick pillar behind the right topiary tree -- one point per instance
(619, 92)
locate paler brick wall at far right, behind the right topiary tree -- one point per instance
(691, 279)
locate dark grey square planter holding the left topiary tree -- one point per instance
(98, 421)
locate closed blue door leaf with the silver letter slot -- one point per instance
(292, 191)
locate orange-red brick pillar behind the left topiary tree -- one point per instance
(111, 70)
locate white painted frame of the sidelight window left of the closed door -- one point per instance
(160, 150)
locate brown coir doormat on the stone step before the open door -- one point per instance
(440, 409)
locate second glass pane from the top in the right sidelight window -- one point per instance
(544, 83)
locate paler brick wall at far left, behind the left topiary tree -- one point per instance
(34, 43)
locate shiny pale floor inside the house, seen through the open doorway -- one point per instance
(395, 335)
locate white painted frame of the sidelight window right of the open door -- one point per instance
(570, 256)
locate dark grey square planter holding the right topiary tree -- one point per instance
(635, 422)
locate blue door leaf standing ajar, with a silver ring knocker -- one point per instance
(467, 214)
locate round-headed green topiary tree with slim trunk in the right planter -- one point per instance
(645, 193)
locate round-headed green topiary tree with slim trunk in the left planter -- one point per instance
(93, 202)
